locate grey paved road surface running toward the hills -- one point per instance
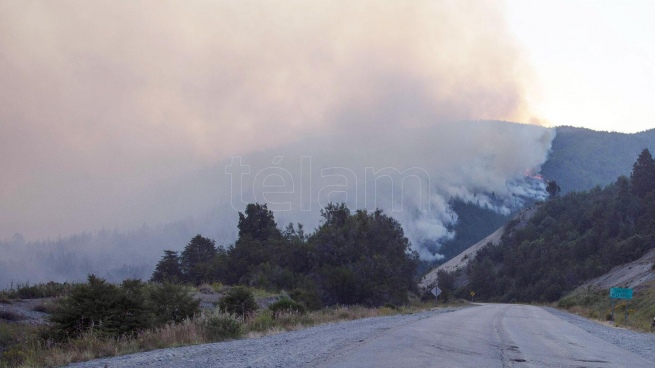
(491, 335)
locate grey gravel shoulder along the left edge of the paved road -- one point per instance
(304, 348)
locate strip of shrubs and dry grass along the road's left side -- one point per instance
(110, 332)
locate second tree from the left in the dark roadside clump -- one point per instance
(196, 260)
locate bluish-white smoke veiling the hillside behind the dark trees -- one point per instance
(412, 174)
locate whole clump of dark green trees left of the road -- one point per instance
(351, 258)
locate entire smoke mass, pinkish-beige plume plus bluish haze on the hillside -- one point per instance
(110, 109)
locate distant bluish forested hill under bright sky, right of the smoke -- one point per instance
(581, 158)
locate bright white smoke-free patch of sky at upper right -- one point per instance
(594, 60)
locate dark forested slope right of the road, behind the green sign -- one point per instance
(570, 239)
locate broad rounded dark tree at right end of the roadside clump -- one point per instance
(363, 258)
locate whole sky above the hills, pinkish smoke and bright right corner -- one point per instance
(102, 100)
